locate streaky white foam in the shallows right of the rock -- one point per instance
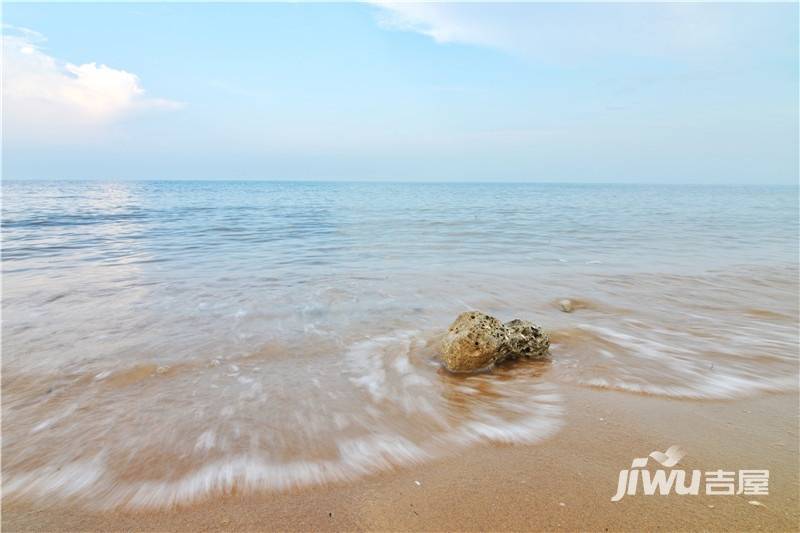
(655, 360)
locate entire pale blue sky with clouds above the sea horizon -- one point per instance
(589, 92)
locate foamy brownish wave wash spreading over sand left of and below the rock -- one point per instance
(214, 429)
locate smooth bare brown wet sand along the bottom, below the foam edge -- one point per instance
(563, 483)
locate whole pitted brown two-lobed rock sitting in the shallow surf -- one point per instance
(476, 341)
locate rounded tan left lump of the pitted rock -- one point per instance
(473, 342)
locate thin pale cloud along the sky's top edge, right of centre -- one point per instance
(572, 32)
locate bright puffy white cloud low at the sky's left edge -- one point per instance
(44, 97)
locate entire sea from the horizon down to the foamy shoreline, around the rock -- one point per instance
(164, 341)
